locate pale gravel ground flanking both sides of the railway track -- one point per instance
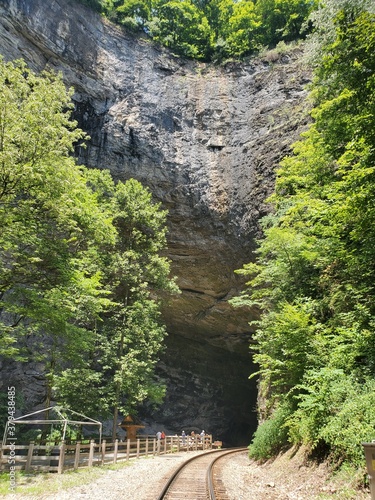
(286, 478)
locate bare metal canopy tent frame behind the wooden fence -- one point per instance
(62, 420)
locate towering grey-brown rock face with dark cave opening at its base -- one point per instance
(206, 141)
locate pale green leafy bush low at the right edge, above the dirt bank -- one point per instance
(337, 410)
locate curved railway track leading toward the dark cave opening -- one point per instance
(198, 478)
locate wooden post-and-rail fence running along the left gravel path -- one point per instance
(63, 457)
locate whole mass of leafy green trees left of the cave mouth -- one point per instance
(80, 260)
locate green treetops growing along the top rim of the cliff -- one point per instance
(211, 29)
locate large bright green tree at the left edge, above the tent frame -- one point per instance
(50, 285)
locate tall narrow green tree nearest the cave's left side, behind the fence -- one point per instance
(136, 270)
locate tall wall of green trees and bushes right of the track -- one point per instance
(314, 275)
